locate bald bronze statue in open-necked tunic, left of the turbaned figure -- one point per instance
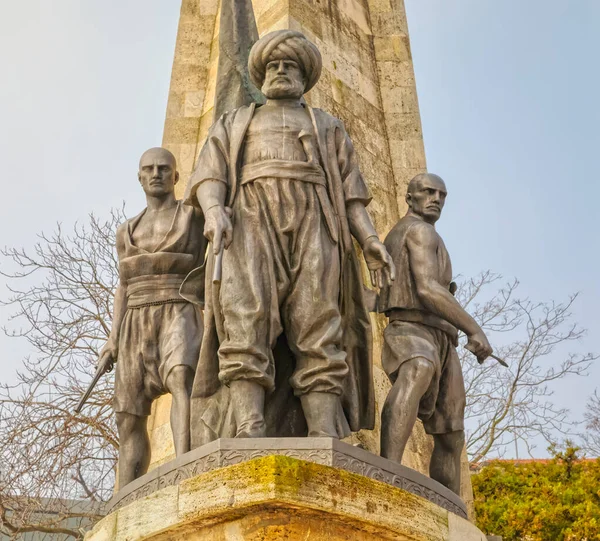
(156, 334)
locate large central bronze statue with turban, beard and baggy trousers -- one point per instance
(287, 329)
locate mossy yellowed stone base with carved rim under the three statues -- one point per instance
(280, 496)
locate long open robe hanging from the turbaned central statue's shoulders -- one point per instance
(212, 416)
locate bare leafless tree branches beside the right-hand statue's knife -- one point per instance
(515, 404)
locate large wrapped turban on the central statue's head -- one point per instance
(285, 45)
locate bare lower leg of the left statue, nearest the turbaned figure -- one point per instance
(179, 383)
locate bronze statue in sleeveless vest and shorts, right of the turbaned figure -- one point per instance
(419, 352)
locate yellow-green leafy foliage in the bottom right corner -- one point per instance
(553, 500)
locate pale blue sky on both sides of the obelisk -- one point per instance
(508, 93)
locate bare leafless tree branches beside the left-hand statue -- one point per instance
(61, 295)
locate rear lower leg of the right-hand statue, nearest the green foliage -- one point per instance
(446, 458)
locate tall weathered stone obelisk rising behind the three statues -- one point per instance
(368, 81)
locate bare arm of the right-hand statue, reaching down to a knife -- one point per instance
(422, 244)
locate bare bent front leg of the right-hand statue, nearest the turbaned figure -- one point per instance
(401, 407)
